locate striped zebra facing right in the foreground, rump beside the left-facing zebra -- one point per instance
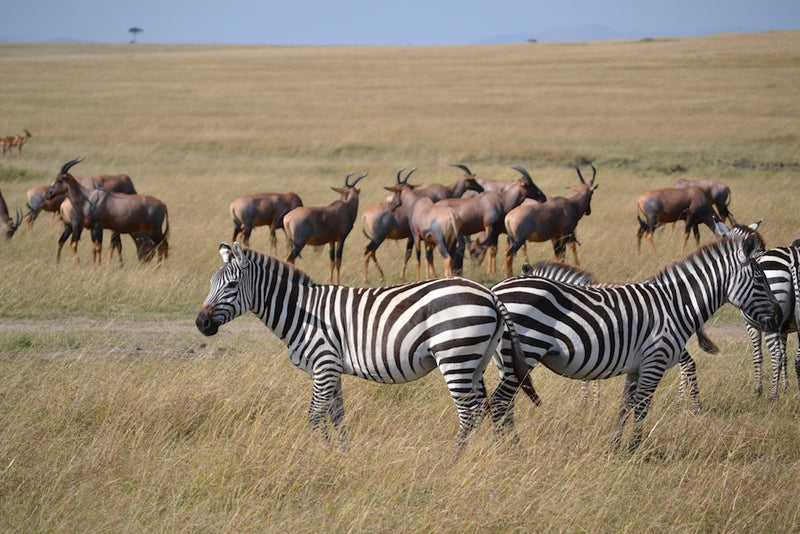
(638, 329)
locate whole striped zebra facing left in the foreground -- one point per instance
(390, 335)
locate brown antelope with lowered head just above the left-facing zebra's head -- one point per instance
(261, 209)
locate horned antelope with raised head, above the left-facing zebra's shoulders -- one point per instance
(322, 225)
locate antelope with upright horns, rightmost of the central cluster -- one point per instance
(554, 220)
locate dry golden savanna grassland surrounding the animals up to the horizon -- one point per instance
(117, 415)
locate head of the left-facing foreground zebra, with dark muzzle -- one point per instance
(227, 298)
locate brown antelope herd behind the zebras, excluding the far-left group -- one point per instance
(447, 218)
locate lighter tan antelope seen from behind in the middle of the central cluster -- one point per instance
(429, 223)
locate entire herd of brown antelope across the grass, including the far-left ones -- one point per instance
(464, 218)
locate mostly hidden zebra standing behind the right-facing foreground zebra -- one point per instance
(577, 276)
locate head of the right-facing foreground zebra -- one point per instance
(748, 288)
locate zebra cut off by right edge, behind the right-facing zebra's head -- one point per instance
(780, 266)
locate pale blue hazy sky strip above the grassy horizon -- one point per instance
(377, 22)
